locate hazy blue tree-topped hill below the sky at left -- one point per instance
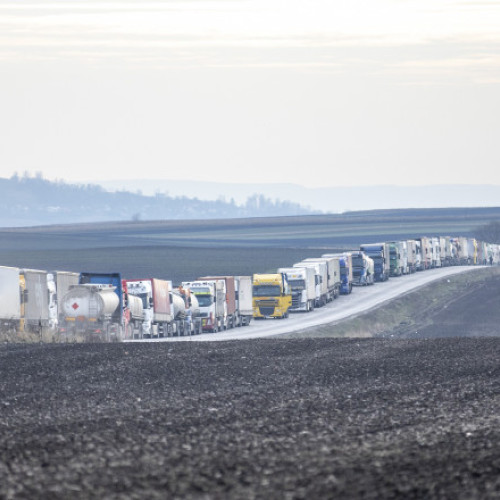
(30, 201)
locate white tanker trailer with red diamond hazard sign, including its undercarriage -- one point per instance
(88, 309)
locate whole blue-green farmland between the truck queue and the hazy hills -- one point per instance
(184, 250)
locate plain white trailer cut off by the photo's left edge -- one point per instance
(10, 299)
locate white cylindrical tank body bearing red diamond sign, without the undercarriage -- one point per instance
(90, 301)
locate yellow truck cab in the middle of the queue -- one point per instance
(272, 297)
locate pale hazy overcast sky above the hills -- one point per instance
(314, 92)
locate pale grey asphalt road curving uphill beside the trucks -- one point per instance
(361, 300)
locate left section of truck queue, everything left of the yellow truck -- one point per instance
(104, 306)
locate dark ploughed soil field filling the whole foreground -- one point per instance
(313, 418)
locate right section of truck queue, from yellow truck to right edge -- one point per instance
(316, 281)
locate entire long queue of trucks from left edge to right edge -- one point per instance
(106, 306)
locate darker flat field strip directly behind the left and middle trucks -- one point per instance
(164, 262)
